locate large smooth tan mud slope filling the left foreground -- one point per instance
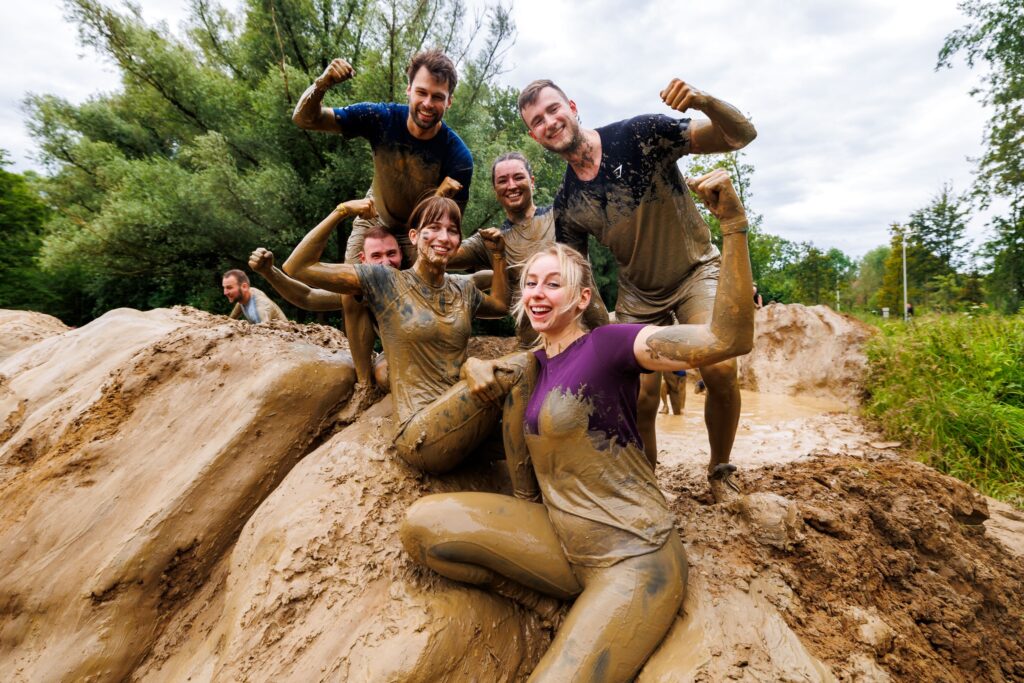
(134, 450)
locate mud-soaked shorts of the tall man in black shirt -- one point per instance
(695, 296)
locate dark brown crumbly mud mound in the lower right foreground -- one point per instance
(882, 569)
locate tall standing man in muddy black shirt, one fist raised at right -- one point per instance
(623, 186)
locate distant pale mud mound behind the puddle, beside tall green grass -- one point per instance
(813, 352)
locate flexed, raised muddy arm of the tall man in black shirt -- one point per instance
(728, 130)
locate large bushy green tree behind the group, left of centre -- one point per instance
(159, 188)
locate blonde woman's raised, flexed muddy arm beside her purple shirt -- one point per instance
(731, 331)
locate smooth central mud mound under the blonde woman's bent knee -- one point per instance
(319, 587)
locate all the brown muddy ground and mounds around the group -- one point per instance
(844, 562)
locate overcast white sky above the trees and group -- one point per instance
(856, 127)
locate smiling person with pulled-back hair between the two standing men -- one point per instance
(528, 230)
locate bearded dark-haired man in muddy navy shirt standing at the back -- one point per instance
(414, 153)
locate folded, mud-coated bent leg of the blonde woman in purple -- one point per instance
(485, 539)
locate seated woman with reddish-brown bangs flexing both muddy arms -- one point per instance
(442, 412)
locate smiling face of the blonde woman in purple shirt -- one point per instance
(548, 300)
